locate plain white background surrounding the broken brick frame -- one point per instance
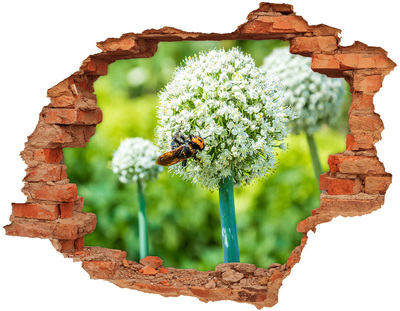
(349, 264)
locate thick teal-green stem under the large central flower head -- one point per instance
(228, 221)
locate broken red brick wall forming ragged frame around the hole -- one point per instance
(355, 184)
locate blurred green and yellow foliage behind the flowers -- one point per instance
(183, 220)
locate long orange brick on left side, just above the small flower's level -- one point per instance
(72, 116)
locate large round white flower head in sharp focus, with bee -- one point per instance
(223, 96)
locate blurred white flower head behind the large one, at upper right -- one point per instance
(315, 97)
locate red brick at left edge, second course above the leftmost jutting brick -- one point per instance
(58, 193)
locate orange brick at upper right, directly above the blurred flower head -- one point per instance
(306, 46)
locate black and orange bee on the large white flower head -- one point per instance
(183, 148)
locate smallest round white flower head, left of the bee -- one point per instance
(135, 160)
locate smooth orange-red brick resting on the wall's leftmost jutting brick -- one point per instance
(37, 211)
